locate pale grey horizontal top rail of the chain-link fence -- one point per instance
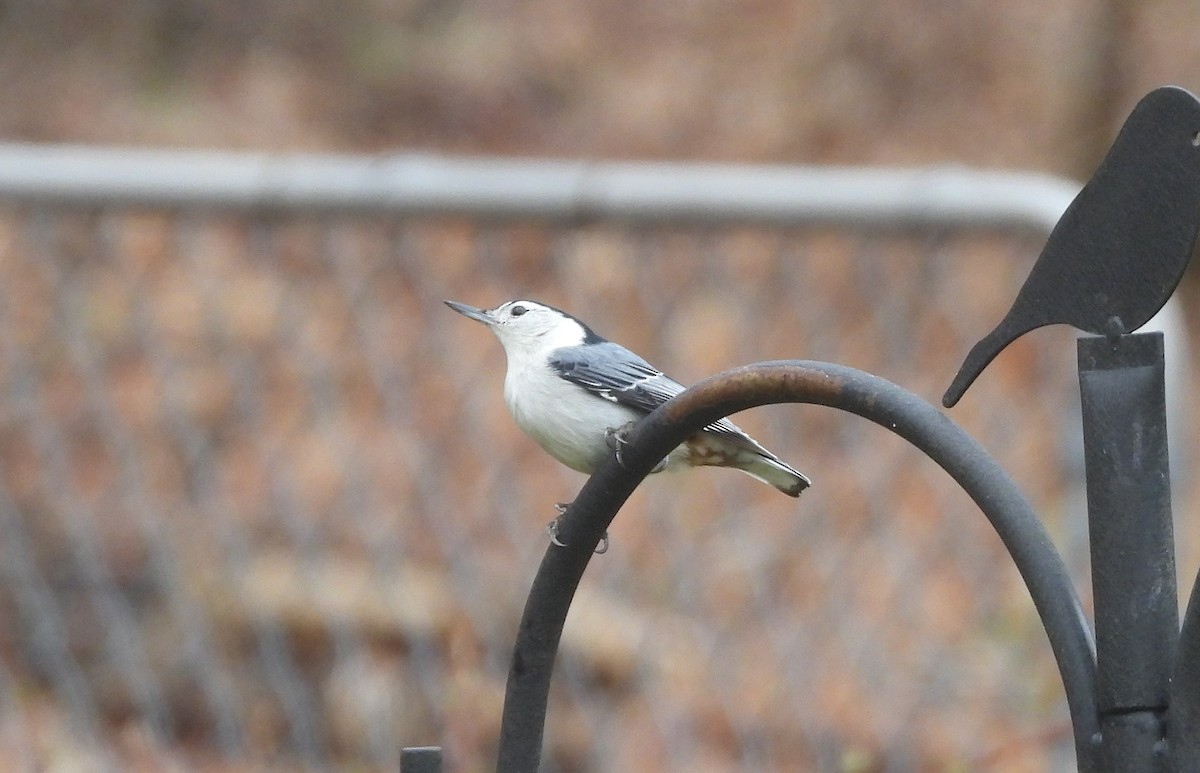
(422, 184)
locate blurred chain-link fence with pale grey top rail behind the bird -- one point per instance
(262, 506)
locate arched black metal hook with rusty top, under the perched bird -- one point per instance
(805, 382)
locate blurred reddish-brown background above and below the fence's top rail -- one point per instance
(262, 507)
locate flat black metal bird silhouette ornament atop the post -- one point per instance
(1121, 248)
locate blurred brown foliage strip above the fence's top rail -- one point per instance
(1016, 85)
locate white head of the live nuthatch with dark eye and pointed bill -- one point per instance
(526, 327)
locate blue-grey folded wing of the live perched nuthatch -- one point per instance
(614, 373)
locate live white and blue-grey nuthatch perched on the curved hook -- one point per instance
(572, 391)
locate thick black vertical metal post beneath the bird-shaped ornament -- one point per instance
(1133, 558)
